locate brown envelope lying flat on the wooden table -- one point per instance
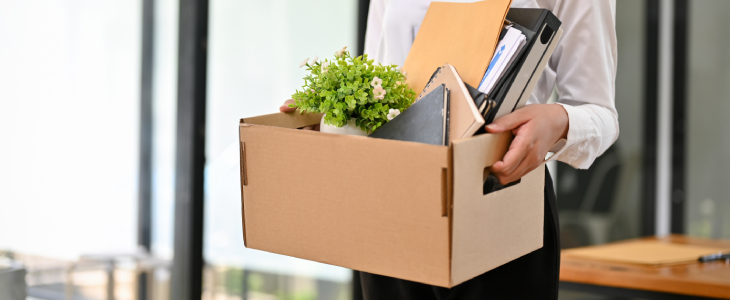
(644, 252)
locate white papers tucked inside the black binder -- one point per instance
(506, 52)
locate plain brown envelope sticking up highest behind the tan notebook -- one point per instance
(461, 34)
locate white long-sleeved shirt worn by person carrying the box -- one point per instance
(582, 67)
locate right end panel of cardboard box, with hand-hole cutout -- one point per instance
(491, 230)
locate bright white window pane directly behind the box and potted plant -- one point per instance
(255, 48)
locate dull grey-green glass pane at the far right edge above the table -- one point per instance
(707, 138)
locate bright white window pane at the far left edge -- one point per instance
(69, 101)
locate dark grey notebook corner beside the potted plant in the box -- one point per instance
(426, 121)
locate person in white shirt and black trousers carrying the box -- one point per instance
(579, 128)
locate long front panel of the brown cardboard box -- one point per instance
(357, 202)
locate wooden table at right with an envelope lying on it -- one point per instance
(687, 281)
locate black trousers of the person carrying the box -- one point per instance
(533, 276)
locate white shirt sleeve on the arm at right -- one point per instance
(584, 64)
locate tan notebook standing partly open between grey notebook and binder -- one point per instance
(464, 117)
